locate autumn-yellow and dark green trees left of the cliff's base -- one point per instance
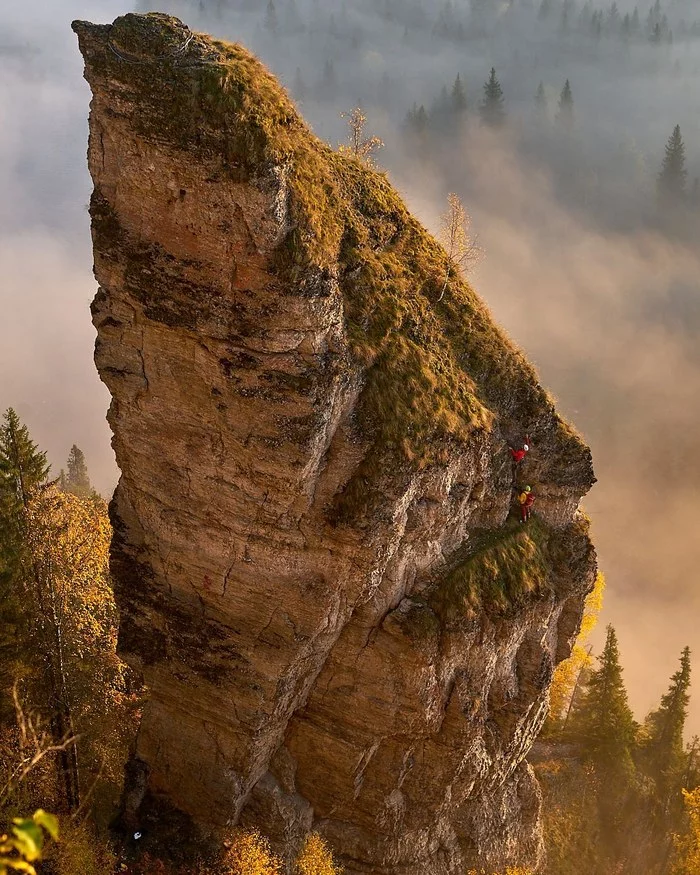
(68, 705)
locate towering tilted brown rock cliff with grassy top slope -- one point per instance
(338, 625)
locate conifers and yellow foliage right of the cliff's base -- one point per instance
(620, 796)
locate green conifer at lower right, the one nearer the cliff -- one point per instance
(603, 720)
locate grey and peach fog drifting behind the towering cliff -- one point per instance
(598, 284)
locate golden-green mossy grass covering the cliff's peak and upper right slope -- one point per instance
(433, 371)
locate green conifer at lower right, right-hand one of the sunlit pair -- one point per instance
(664, 729)
